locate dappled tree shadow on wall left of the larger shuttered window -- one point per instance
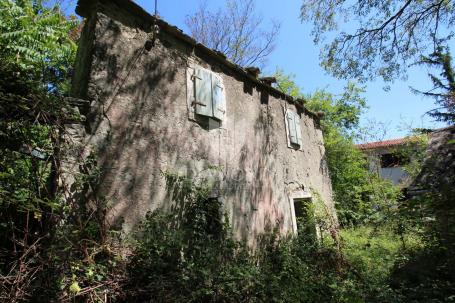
(130, 91)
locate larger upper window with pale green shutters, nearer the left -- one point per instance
(209, 95)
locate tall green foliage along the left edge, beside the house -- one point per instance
(33, 41)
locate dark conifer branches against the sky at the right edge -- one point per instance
(443, 90)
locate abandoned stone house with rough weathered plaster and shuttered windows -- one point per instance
(159, 101)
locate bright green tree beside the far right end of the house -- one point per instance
(357, 192)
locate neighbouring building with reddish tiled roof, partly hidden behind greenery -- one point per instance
(386, 158)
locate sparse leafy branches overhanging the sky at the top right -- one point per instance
(388, 34)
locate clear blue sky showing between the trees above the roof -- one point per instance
(396, 110)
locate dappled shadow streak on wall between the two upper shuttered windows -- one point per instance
(251, 184)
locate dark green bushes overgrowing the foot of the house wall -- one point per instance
(191, 257)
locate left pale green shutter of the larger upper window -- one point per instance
(203, 93)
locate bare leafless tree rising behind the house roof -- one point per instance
(235, 31)
